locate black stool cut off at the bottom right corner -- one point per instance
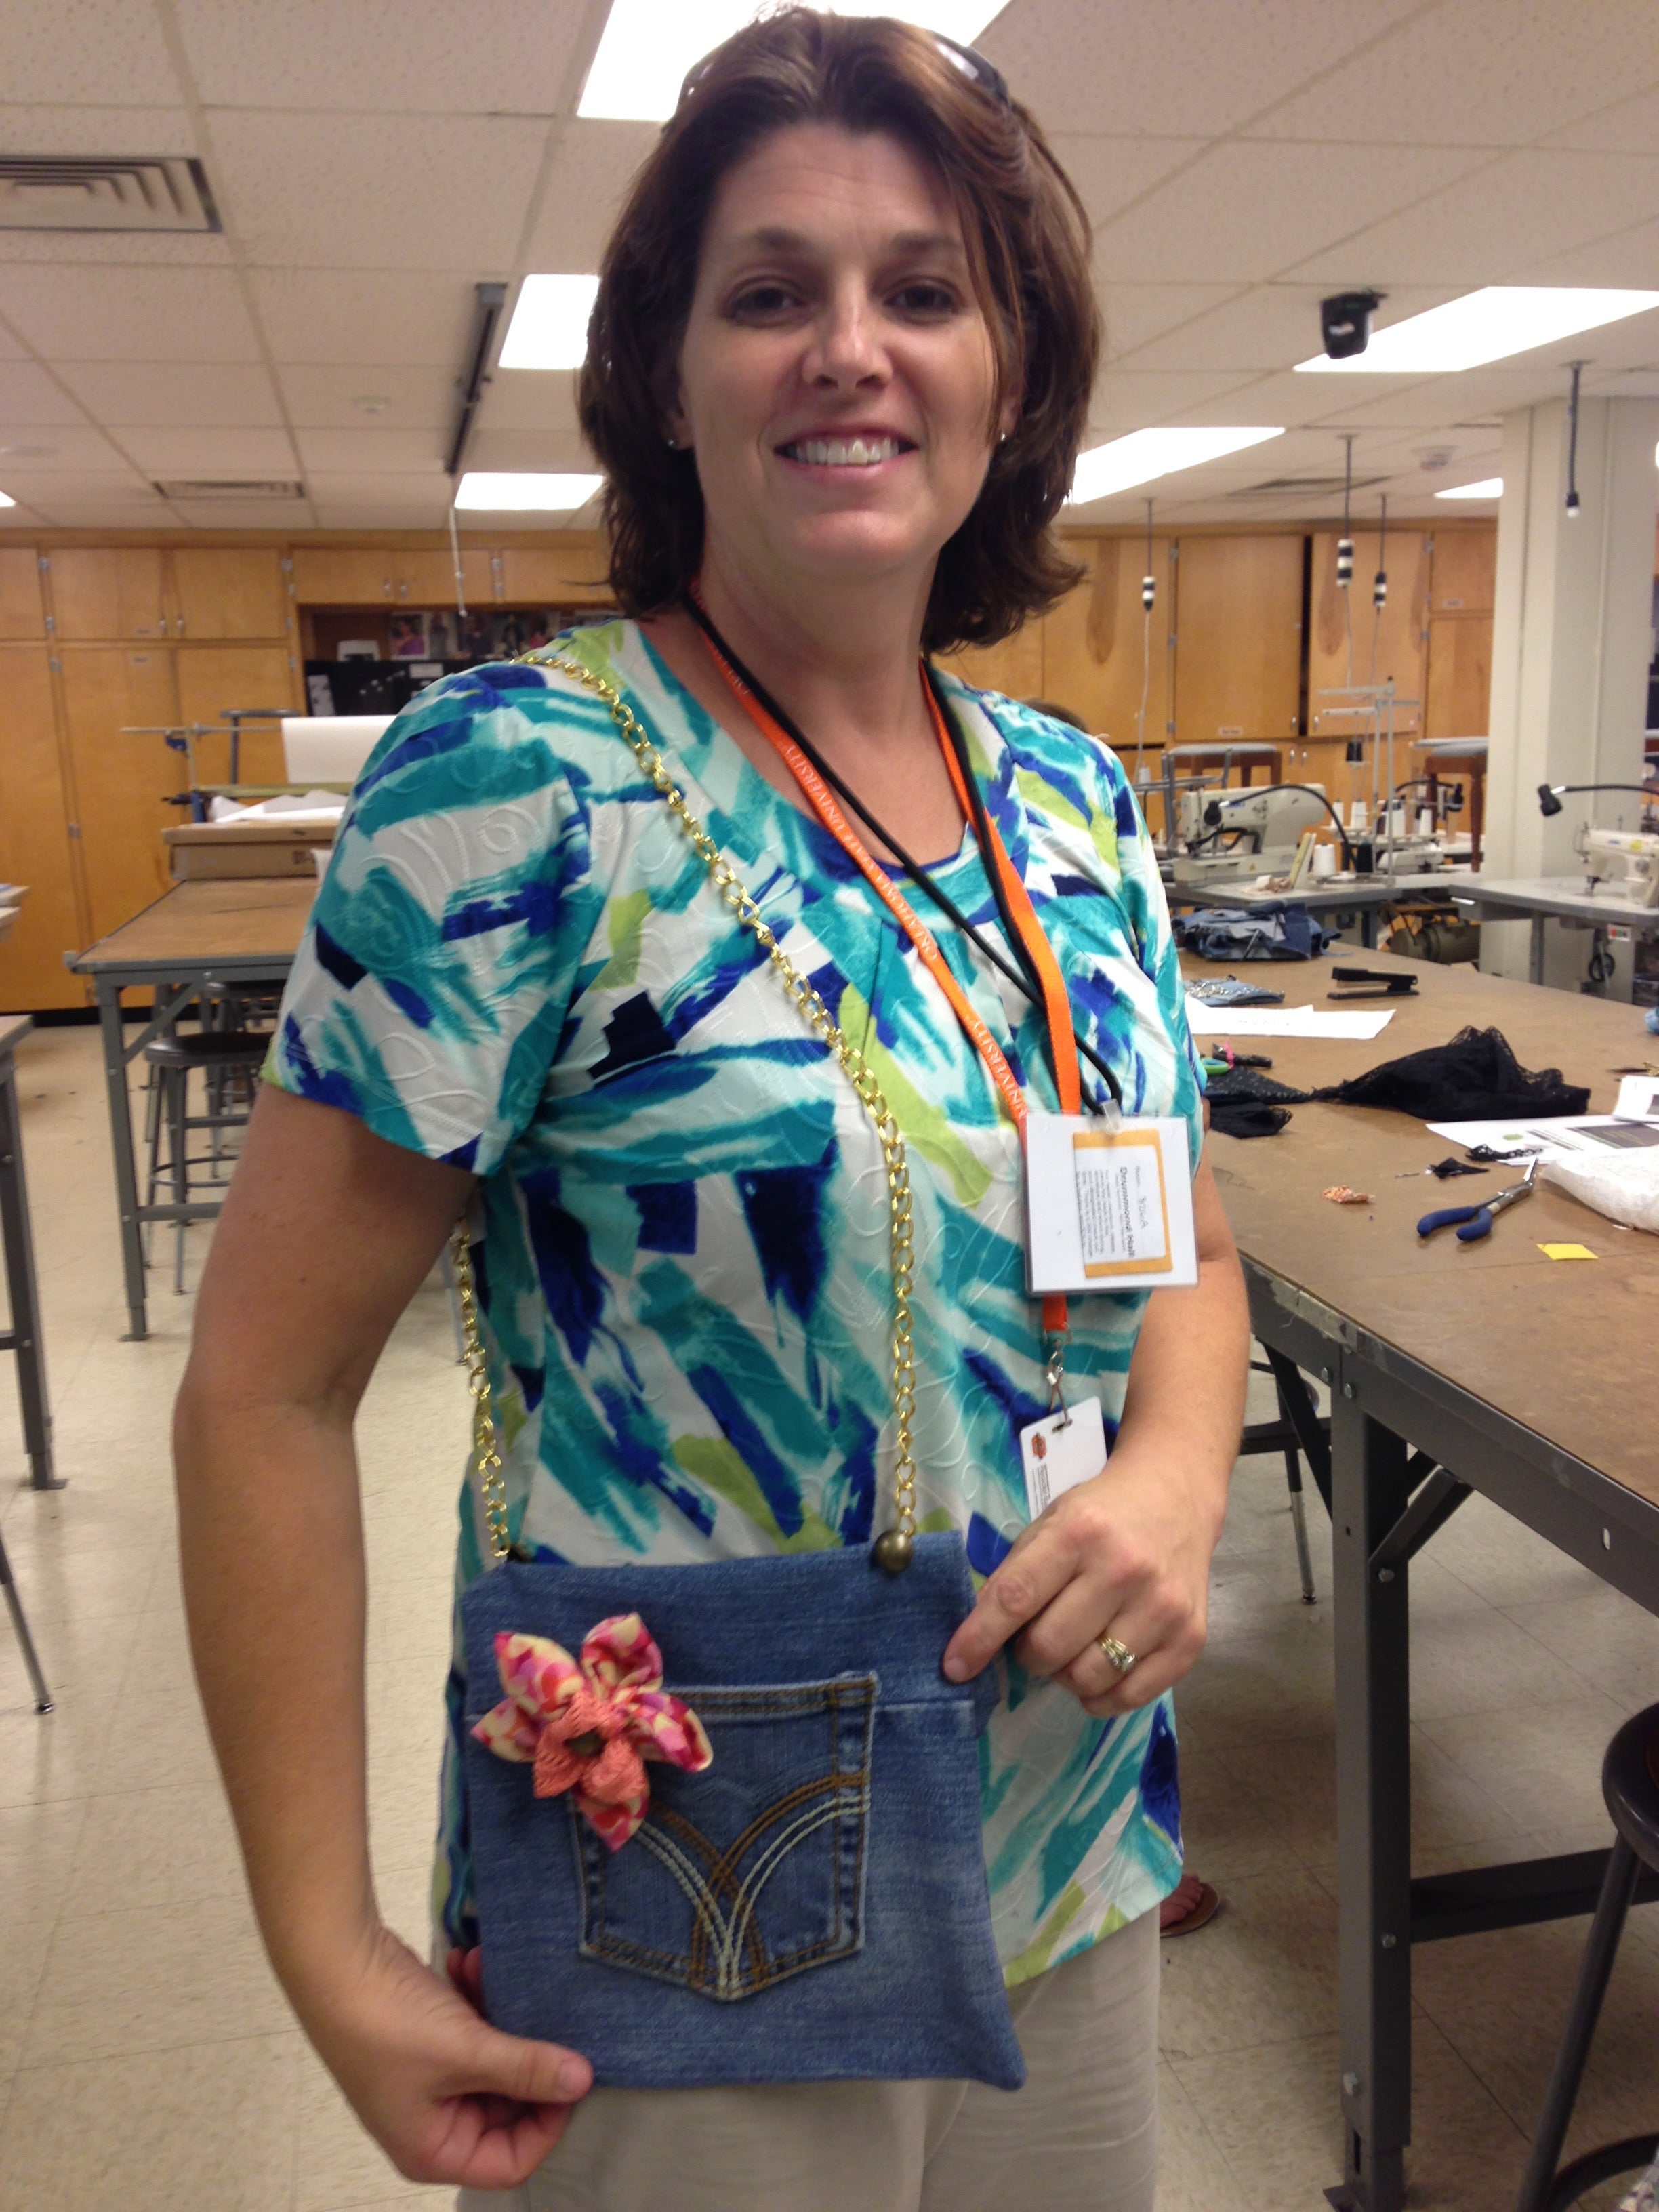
(1631, 1788)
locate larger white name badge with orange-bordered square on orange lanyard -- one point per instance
(1109, 1204)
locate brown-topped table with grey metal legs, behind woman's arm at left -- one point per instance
(198, 935)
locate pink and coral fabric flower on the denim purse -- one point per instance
(592, 1726)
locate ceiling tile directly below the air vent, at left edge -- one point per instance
(129, 313)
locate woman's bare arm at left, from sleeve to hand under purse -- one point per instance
(326, 1235)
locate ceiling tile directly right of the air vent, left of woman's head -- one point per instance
(379, 196)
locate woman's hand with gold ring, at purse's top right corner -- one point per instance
(1127, 1556)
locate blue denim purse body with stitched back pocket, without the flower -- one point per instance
(813, 1908)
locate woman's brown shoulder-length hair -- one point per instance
(1027, 240)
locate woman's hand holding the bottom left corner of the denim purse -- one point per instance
(444, 2094)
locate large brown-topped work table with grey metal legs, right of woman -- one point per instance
(1452, 1368)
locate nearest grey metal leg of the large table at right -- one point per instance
(1370, 1488)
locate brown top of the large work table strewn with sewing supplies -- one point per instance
(1567, 1348)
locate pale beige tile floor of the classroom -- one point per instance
(149, 2065)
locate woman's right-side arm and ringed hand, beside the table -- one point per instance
(1131, 1550)
